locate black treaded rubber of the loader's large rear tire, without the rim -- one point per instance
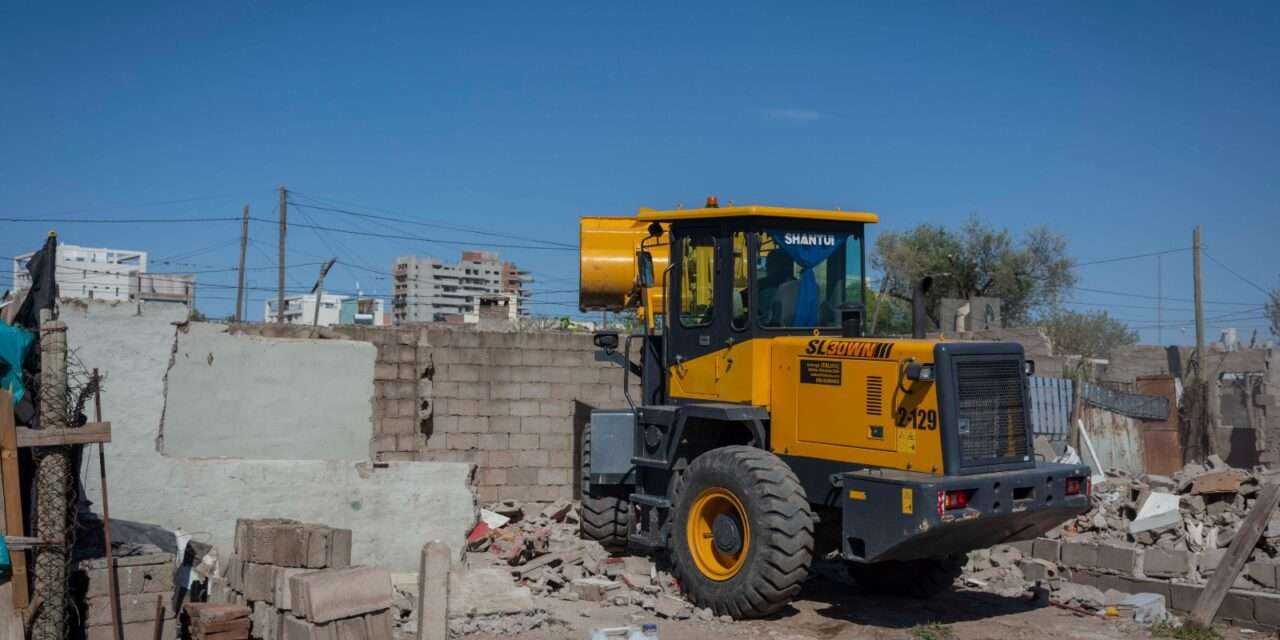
(779, 532)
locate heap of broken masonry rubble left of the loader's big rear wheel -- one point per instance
(546, 554)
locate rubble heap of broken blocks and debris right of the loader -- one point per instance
(1158, 534)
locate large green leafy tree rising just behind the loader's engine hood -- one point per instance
(979, 260)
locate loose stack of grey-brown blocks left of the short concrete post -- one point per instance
(300, 586)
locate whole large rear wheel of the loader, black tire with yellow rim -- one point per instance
(743, 536)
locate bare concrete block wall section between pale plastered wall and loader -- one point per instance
(513, 404)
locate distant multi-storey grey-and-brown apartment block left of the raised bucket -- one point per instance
(431, 291)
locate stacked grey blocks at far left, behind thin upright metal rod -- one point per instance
(145, 582)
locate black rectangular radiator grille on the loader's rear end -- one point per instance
(991, 417)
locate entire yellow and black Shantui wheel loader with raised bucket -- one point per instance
(765, 428)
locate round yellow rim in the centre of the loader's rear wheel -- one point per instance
(712, 560)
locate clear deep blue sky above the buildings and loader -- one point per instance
(1121, 125)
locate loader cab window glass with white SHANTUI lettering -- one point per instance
(803, 277)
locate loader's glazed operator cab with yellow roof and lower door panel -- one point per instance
(740, 276)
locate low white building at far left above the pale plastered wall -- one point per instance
(111, 275)
